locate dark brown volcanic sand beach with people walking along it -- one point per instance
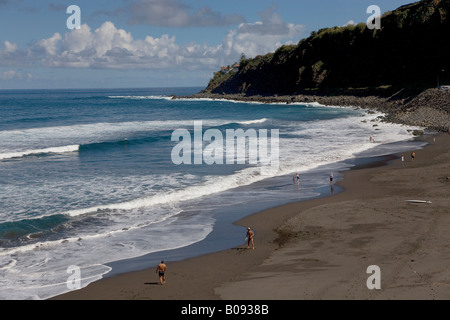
(321, 248)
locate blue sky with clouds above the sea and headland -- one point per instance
(153, 43)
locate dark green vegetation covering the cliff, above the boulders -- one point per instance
(409, 51)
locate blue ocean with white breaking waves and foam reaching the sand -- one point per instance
(88, 177)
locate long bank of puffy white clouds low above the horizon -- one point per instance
(114, 48)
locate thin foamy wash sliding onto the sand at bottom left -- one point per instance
(30, 275)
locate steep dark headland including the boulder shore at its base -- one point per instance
(395, 69)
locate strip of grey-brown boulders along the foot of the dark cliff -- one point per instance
(430, 109)
